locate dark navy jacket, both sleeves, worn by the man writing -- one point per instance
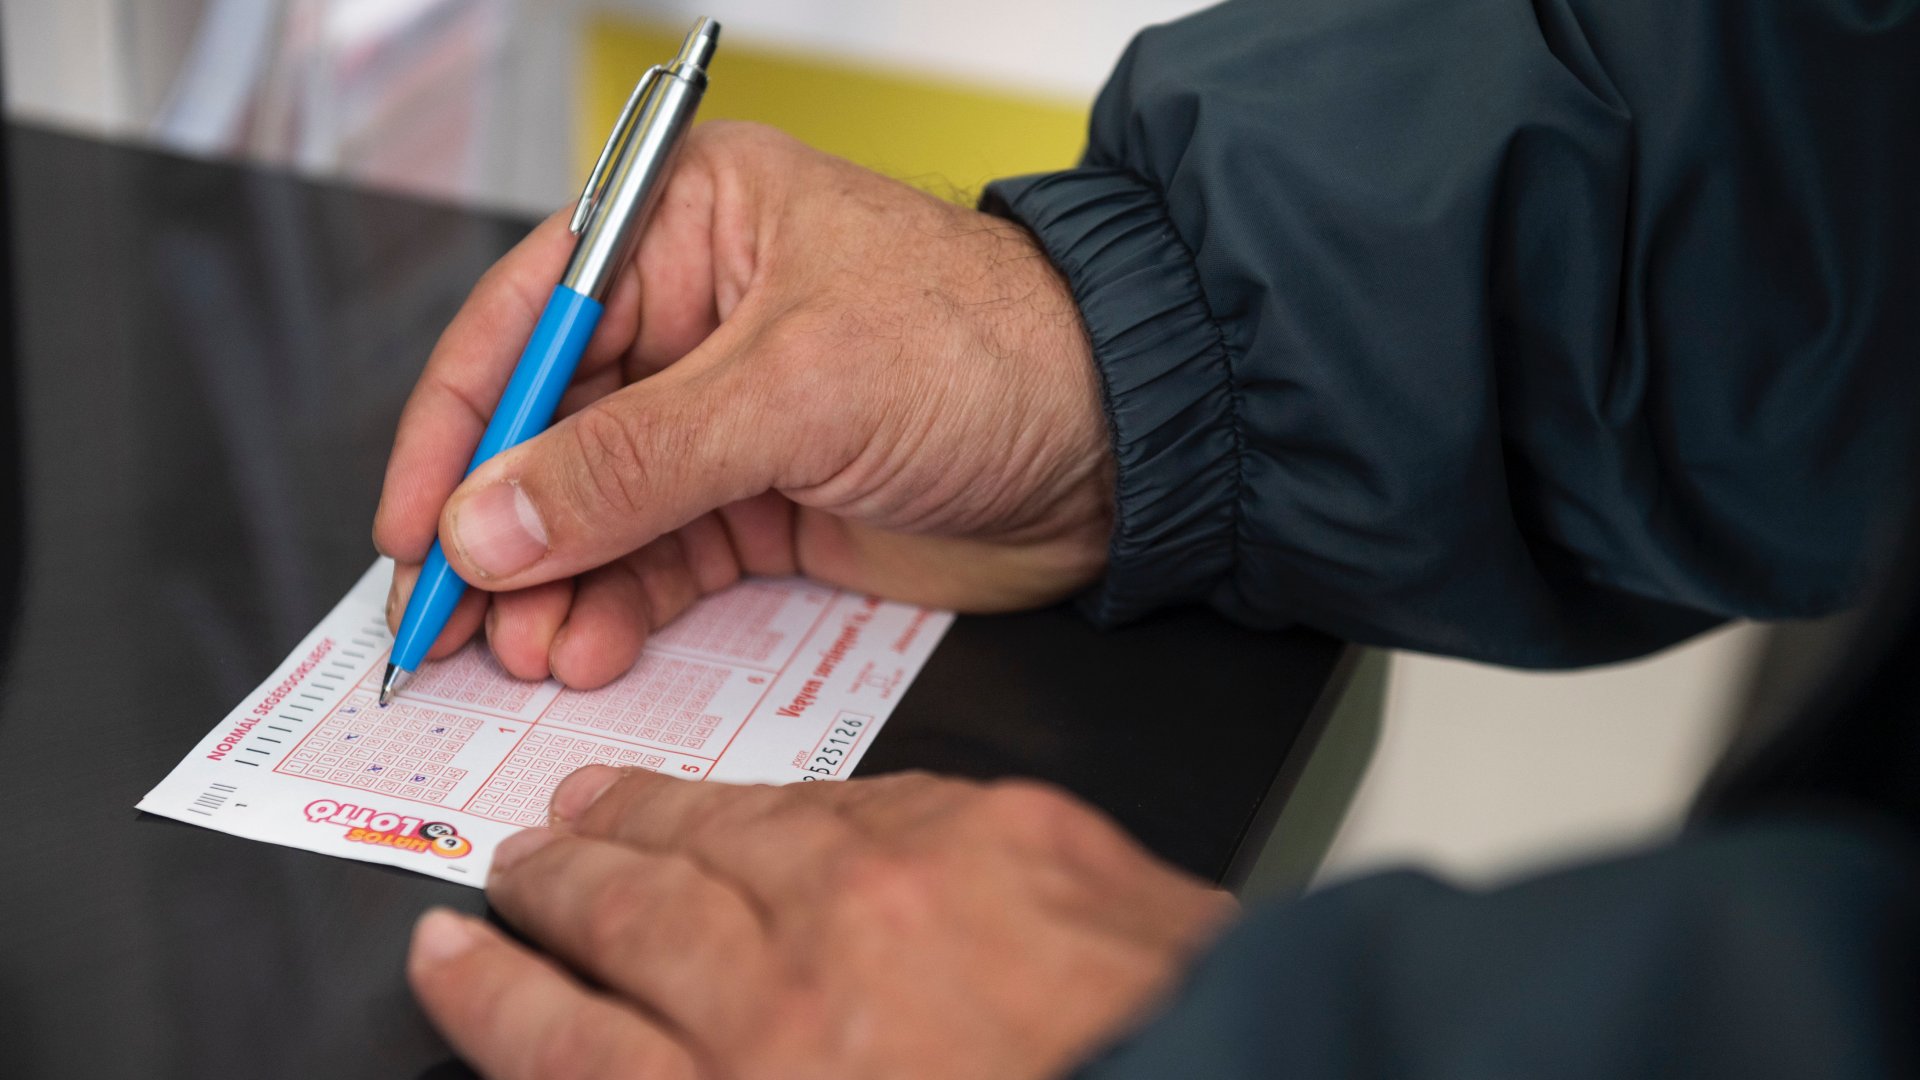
(1543, 333)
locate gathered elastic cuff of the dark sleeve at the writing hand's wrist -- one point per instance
(1164, 374)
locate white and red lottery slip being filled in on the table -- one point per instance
(769, 681)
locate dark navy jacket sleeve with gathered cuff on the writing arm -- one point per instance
(1533, 331)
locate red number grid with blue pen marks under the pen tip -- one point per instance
(402, 750)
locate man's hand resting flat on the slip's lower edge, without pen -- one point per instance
(894, 927)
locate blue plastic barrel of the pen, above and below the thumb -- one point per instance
(525, 410)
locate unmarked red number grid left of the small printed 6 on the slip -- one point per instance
(661, 700)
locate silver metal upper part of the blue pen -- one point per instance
(640, 170)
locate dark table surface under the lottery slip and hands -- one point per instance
(208, 368)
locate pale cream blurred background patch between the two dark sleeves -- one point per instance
(1483, 772)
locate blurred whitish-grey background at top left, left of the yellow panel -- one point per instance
(456, 99)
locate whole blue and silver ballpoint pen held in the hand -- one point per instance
(610, 218)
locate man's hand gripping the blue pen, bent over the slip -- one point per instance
(807, 370)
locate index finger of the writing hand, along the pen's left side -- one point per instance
(464, 380)
